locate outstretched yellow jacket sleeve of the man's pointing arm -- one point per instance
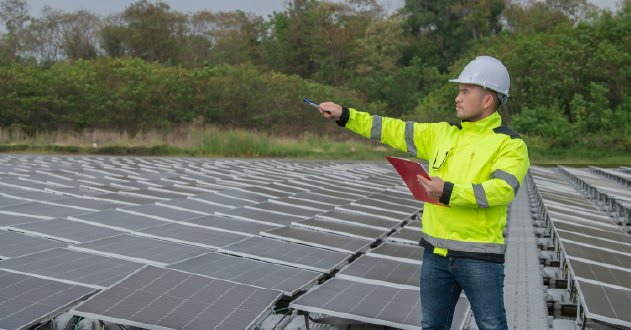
(413, 138)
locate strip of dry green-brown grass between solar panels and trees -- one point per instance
(216, 142)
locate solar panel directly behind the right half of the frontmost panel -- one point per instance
(245, 271)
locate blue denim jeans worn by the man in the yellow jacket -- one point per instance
(444, 278)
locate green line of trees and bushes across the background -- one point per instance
(150, 65)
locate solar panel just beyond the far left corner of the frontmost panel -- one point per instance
(140, 249)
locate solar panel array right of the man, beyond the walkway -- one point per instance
(593, 251)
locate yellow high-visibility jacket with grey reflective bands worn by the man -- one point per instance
(483, 165)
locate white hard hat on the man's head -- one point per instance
(488, 72)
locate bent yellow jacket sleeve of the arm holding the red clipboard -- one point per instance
(507, 175)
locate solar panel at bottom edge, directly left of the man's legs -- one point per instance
(376, 304)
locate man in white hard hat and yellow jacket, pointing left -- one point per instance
(476, 168)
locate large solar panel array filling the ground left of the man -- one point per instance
(137, 228)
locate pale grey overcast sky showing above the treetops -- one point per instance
(260, 7)
